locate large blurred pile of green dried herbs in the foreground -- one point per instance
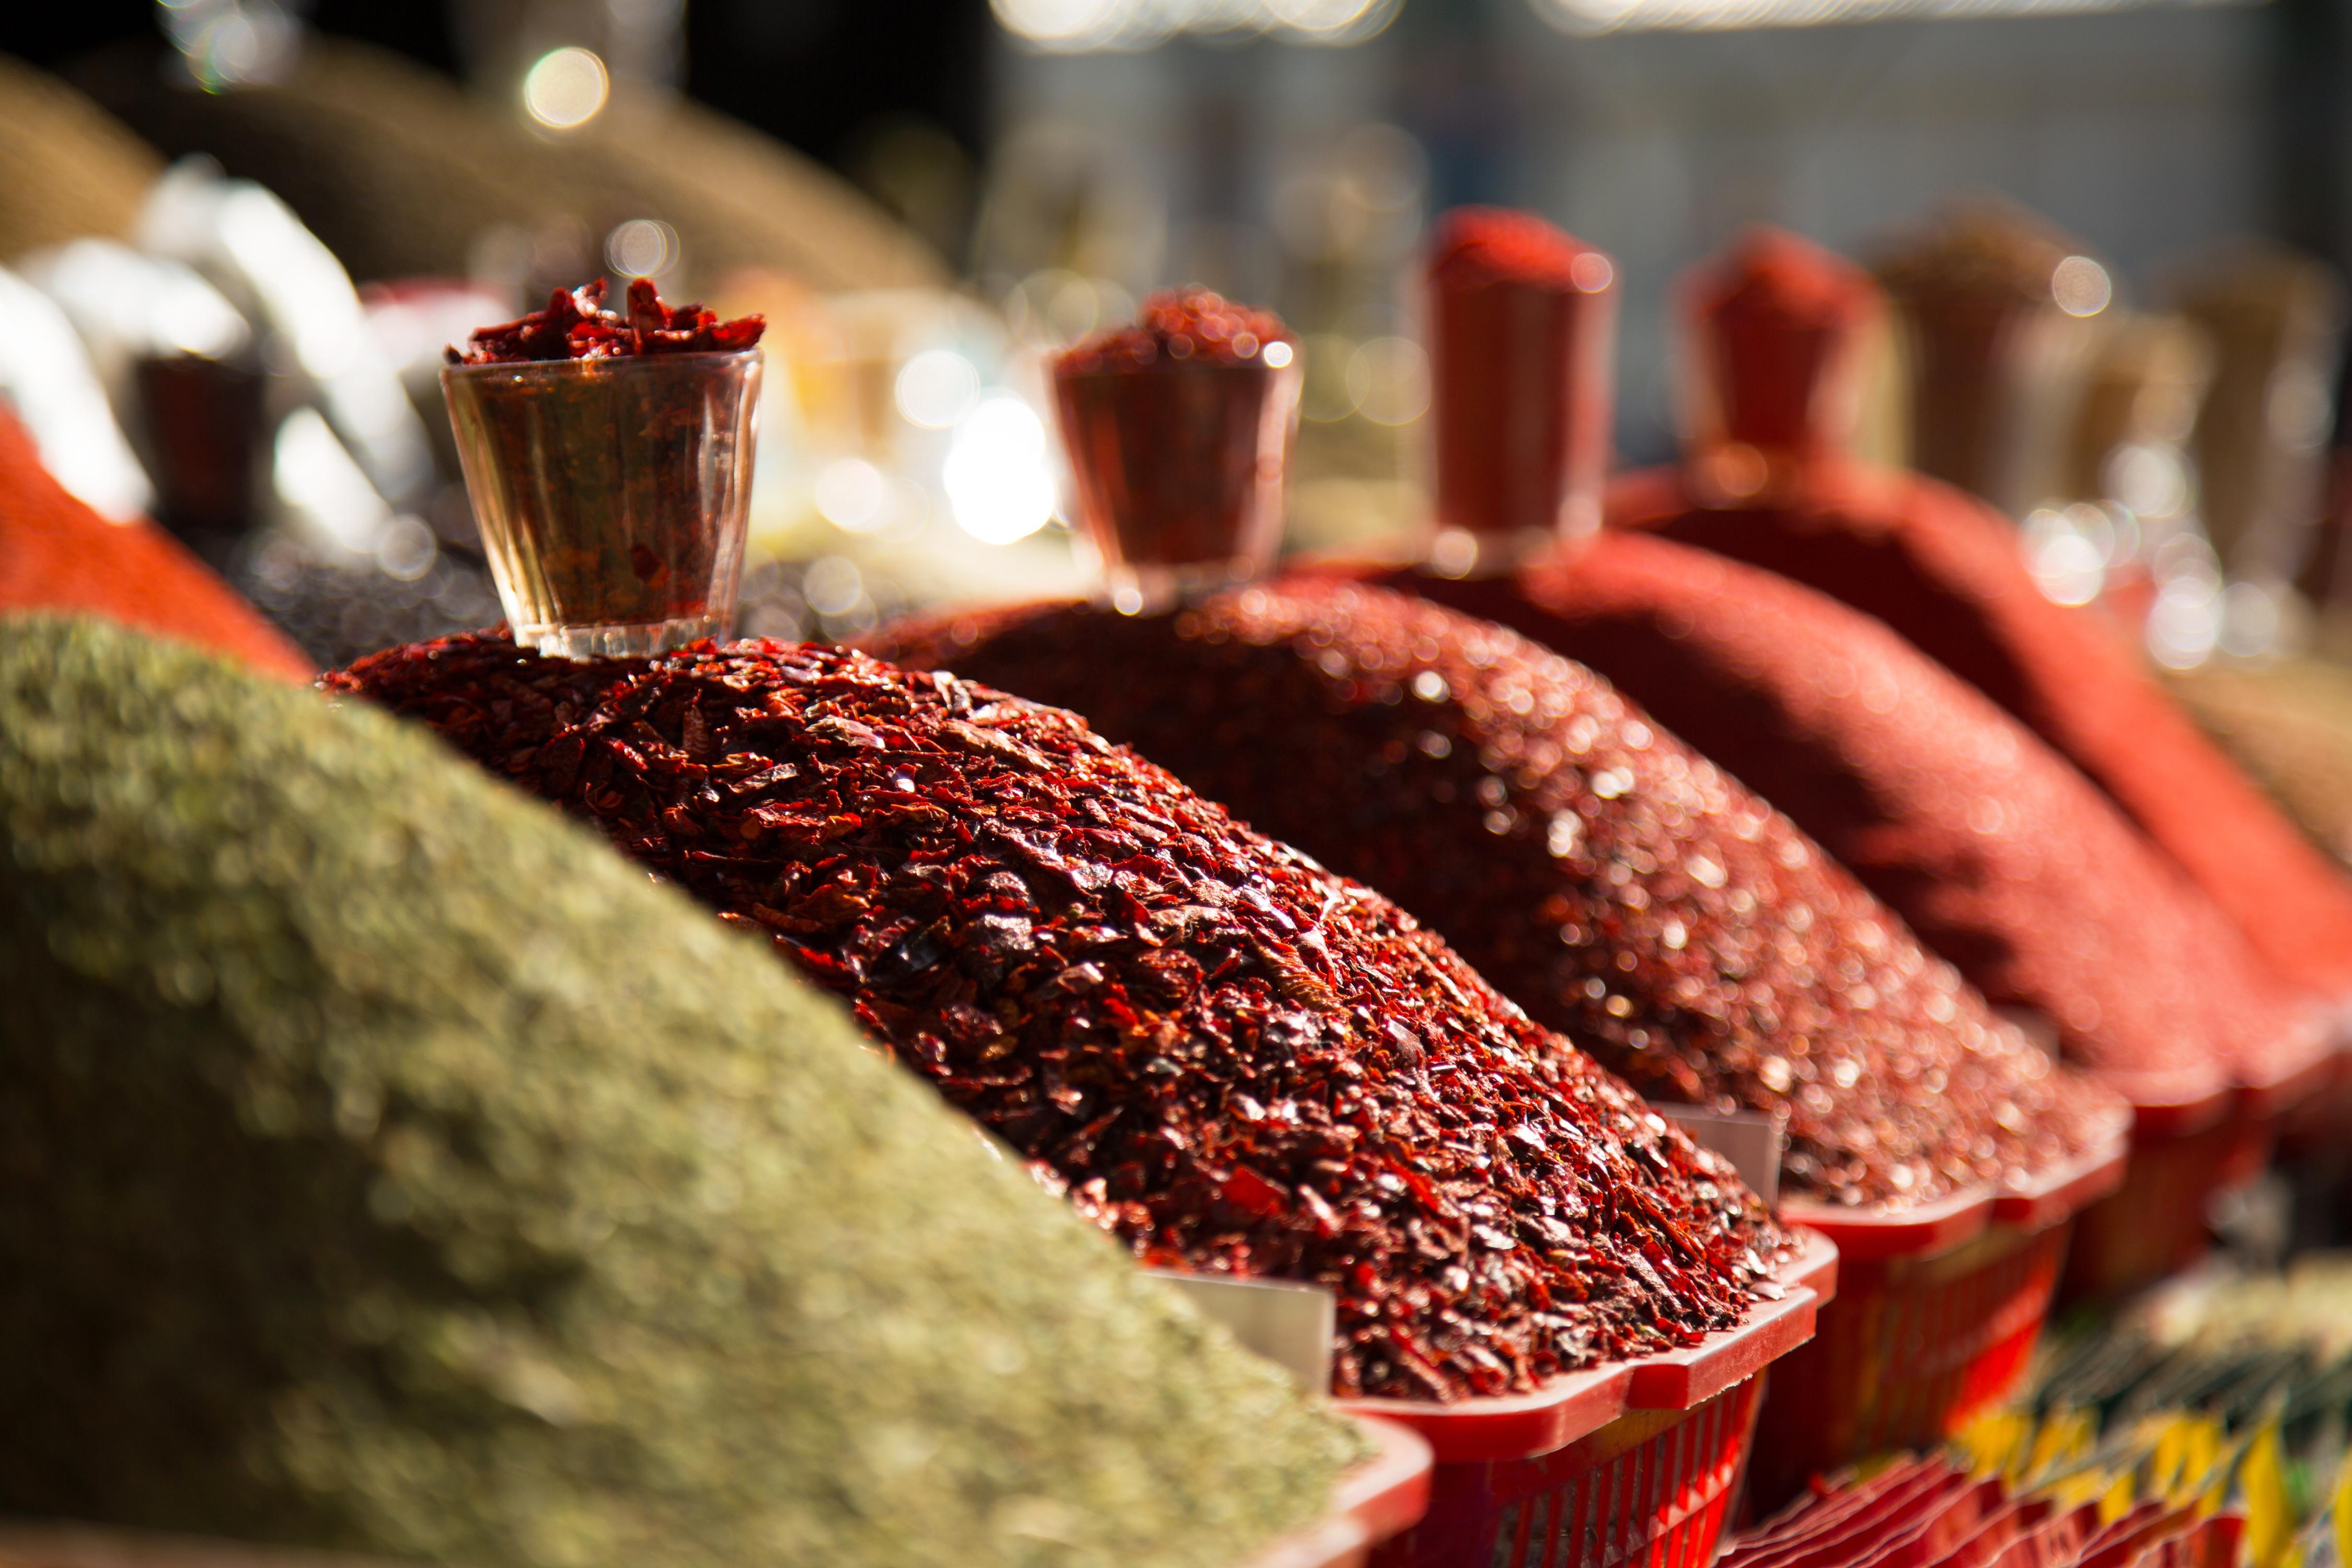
(387, 1165)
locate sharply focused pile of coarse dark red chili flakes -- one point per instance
(1227, 1054)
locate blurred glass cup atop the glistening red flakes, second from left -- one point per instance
(1180, 436)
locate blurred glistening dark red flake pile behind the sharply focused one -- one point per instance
(1586, 862)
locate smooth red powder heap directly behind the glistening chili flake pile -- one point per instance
(1998, 855)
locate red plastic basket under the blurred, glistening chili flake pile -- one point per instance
(1937, 1318)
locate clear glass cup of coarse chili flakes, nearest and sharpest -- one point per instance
(608, 457)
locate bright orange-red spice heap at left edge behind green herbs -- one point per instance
(58, 554)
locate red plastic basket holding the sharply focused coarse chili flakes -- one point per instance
(1626, 1466)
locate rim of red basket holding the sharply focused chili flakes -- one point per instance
(1579, 1405)
